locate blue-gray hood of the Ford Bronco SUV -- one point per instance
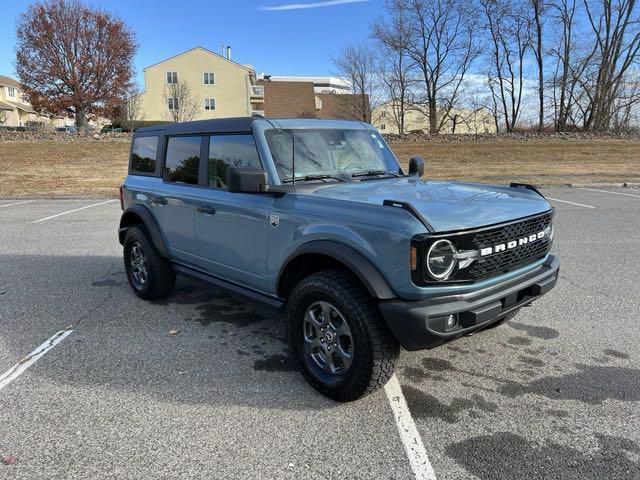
(447, 206)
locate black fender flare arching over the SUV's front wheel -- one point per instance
(360, 266)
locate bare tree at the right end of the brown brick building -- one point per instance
(357, 63)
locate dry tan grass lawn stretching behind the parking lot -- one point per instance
(96, 168)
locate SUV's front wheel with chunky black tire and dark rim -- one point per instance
(336, 332)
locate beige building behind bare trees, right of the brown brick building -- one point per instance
(466, 121)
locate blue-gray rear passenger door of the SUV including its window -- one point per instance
(176, 198)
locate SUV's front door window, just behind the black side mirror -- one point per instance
(238, 151)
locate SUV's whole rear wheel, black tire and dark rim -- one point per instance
(150, 275)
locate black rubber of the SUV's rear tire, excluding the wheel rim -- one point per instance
(161, 277)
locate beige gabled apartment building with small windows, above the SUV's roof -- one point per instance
(220, 86)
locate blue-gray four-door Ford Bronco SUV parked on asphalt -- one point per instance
(319, 218)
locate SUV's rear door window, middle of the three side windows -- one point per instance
(183, 159)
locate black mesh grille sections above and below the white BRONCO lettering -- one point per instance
(502, 262)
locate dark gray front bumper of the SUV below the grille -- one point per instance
(422, 324)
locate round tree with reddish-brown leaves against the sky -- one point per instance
(74, 60)
